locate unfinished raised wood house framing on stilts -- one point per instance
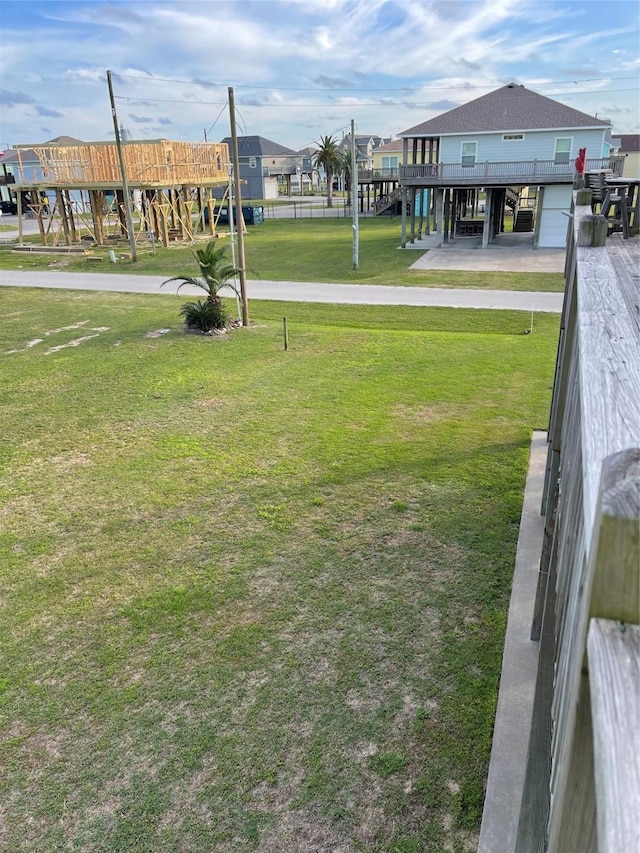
(171, 185)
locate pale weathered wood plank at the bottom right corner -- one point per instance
(614, 673)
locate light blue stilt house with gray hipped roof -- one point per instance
(500, 143)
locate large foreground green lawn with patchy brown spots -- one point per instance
(254, 600)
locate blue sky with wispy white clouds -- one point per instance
(302, 69)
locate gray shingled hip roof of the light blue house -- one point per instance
(510, 108)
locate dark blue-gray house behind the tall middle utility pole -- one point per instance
(264, 165)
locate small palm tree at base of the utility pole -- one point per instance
(216, 273)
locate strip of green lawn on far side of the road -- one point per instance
(307, 250)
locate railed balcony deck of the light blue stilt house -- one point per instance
(521, 173)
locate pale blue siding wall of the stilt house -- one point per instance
(536, 145)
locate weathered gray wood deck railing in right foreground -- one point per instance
(582, 784)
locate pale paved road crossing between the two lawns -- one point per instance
(299, 291)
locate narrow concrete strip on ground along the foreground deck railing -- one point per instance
(519, 669)
